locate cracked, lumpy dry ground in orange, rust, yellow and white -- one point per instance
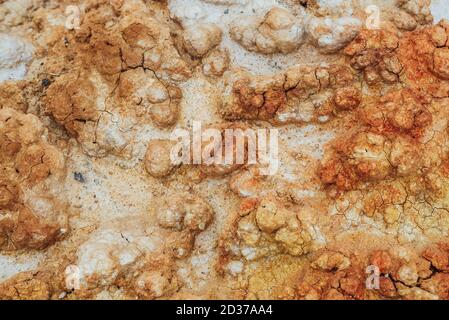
(87, 181)
